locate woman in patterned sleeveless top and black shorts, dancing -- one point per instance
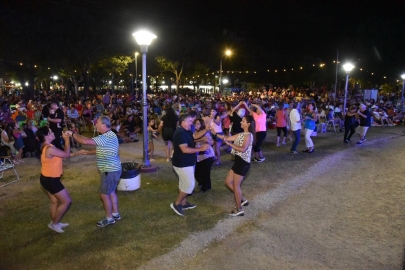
(242, 149)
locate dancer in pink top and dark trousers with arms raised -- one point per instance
(261, 130)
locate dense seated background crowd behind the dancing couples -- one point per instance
(21, 116)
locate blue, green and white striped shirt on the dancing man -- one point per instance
(108, 159)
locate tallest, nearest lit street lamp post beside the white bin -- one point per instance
(144, 38)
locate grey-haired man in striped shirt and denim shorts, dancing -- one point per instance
(109, 165)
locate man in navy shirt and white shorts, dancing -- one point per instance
(184, 158)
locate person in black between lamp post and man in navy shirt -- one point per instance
(167, 126)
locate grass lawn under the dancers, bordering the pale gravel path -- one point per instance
(148, 227)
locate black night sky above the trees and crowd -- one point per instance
(263, 34)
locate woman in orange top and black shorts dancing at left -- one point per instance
(51, 172)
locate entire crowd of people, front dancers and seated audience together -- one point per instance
(196, 130)
